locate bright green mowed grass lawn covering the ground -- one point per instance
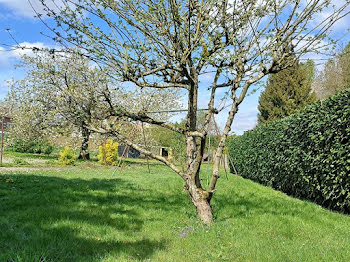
(84, 213)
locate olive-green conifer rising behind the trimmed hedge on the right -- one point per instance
(287, 92)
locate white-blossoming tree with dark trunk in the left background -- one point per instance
(59, 93)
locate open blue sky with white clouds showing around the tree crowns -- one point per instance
(18, 16)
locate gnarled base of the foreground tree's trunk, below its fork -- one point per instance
(200, 198)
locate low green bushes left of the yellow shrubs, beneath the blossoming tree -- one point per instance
(33, 146)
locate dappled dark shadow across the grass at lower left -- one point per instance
(51, 218)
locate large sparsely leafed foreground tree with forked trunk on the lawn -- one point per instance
(165, 44)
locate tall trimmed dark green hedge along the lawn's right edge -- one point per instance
(306, 155)
